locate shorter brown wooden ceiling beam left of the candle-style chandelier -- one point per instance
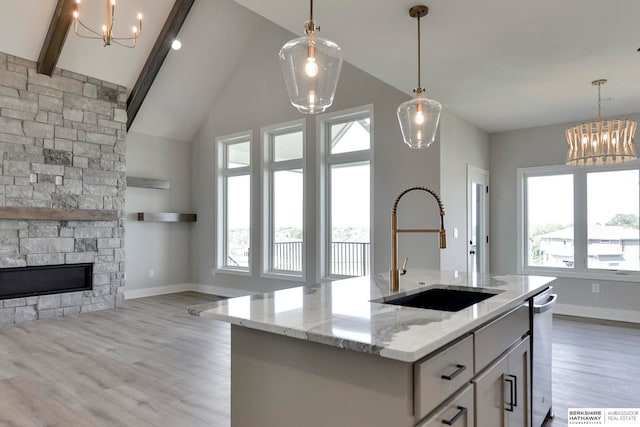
(56, 36)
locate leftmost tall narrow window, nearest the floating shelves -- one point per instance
(234, 202)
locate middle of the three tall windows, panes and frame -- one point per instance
(284, 199)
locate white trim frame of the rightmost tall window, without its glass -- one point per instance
(324, 160)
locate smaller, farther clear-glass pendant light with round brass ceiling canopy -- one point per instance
(419, 117)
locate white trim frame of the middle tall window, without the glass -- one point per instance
(268, 167)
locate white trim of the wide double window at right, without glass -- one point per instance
(580, 270)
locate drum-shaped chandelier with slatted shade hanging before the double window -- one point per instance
(601, 142)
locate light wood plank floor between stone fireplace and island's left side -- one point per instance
(148, 364)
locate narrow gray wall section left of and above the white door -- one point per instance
(462, 144)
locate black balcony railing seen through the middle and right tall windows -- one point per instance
(347, 258)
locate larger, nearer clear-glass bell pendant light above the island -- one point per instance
(311, 67)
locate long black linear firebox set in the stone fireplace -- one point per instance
(17, 282)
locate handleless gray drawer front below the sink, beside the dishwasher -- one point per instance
(492, 340)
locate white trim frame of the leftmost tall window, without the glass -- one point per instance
(221, 224)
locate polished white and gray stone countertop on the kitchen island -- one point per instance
(342, 313)
